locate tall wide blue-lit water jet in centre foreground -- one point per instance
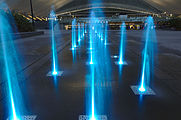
(100, 67)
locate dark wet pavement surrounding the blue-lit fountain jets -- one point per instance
(65, 98)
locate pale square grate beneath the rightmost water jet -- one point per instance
(148, 91)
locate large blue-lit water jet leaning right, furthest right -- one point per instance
(148, 54)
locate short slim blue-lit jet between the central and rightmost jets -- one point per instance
(122, 44)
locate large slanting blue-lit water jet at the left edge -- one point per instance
(10, 61)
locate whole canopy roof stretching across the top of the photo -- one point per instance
(43, 7)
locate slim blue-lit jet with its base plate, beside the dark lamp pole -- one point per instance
(54, 29)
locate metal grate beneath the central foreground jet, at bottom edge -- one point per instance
(86, 117)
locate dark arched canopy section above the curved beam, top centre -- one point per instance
(136, 6)
